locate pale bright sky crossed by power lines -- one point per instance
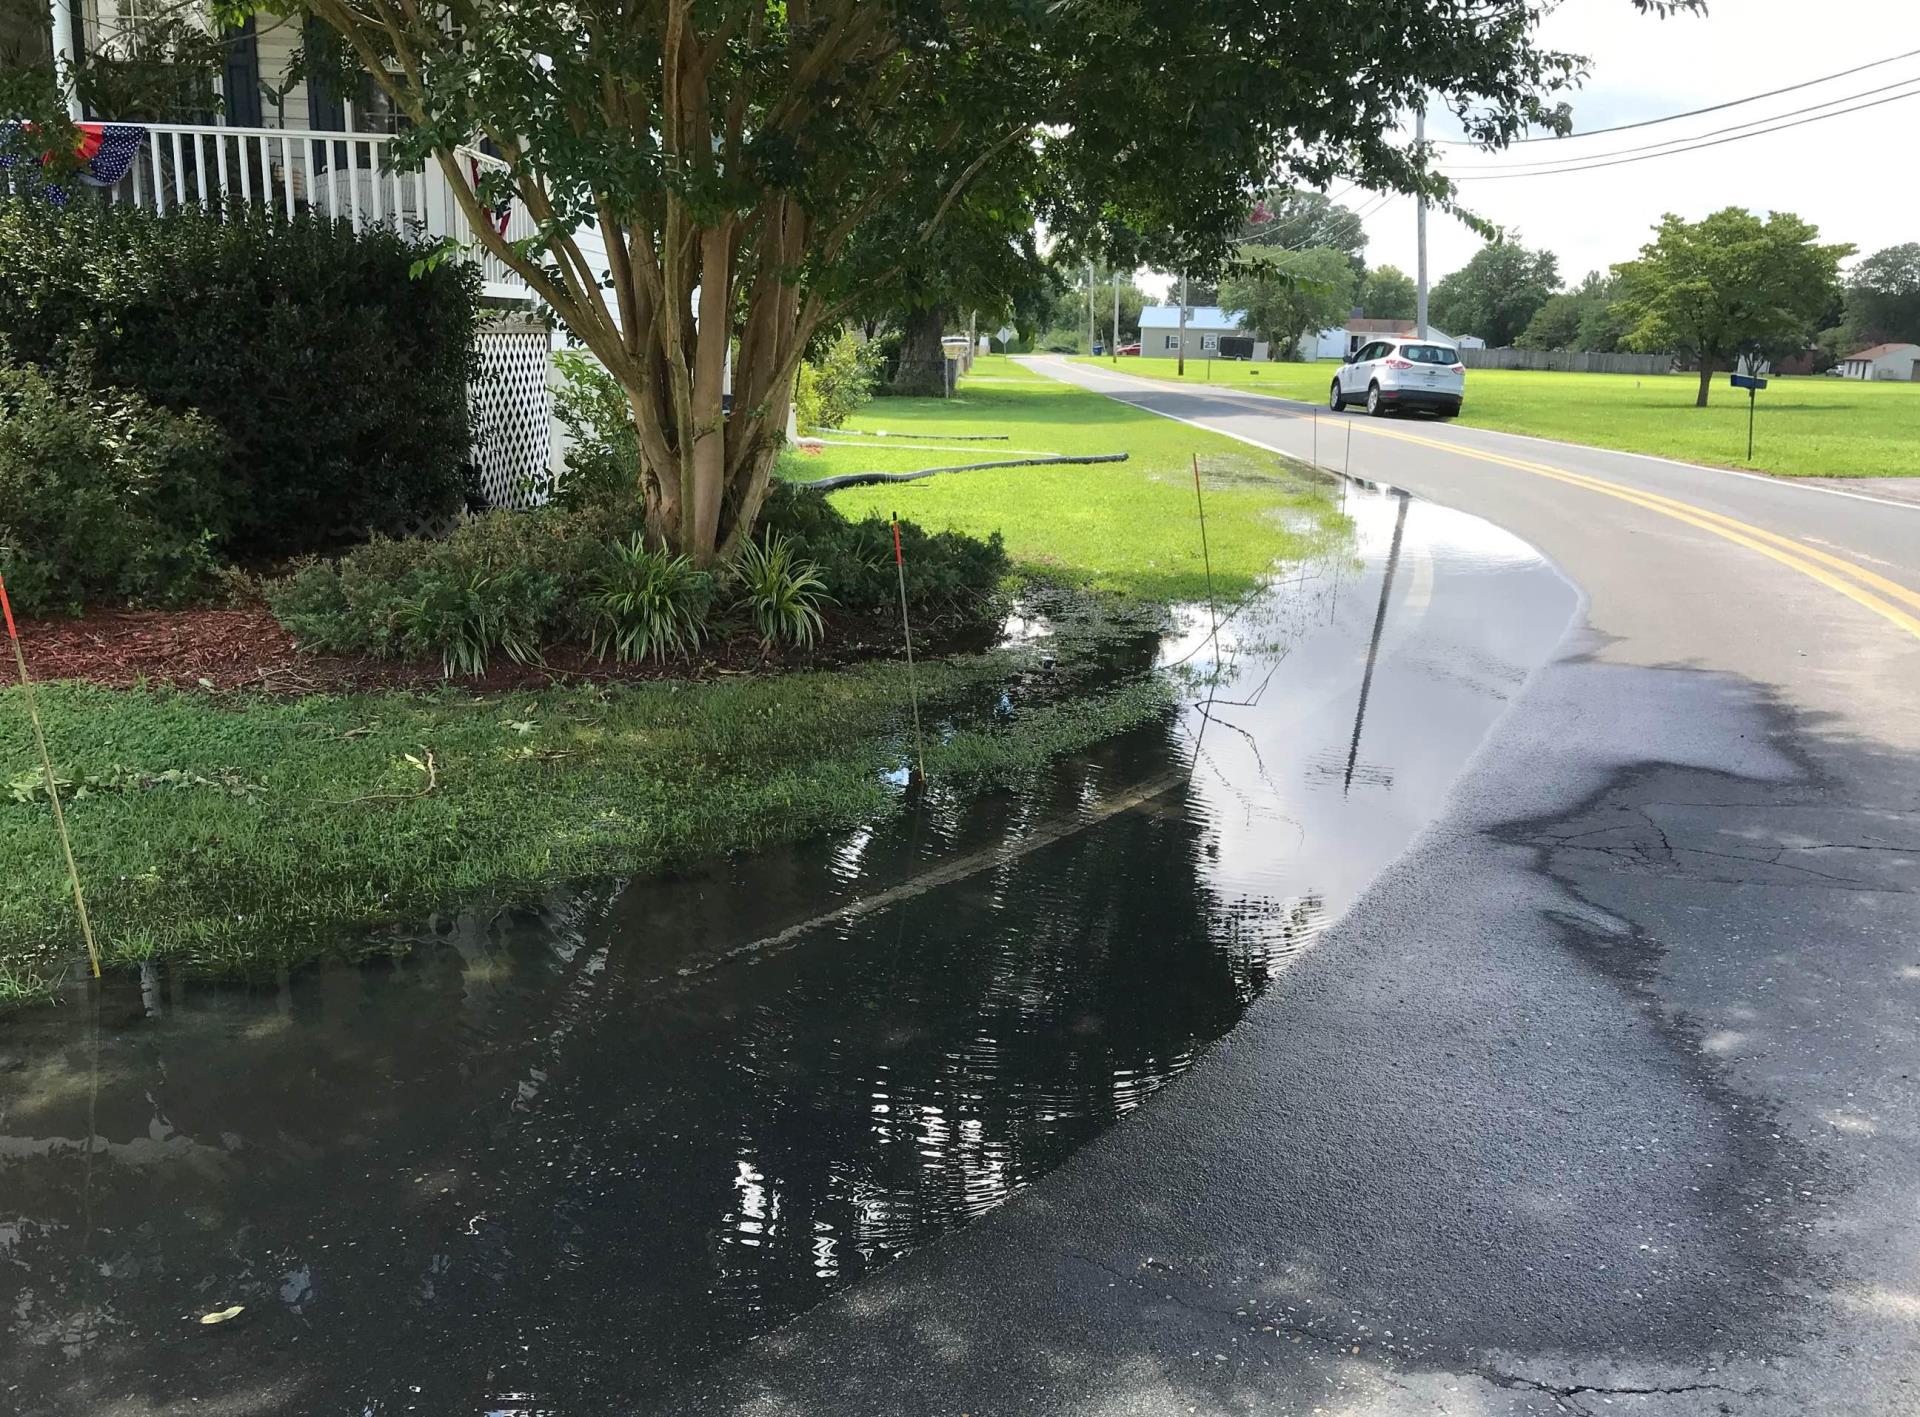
(1852, 176)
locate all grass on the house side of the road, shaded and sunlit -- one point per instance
(241, 832)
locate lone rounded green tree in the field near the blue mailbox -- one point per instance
(1729, 287)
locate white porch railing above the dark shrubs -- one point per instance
(347, 176)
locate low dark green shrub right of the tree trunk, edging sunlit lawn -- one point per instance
(949, 577)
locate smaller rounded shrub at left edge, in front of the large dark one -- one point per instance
(103, 496)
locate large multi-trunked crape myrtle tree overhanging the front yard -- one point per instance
(761, 168)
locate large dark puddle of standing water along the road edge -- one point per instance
(552, 1159)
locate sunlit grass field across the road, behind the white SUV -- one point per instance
(1808, 427)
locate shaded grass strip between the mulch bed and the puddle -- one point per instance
(237, 832)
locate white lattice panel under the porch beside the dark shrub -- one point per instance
(514, 414)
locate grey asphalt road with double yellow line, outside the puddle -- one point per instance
(1602, 1099)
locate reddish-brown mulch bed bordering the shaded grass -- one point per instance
(247, 650)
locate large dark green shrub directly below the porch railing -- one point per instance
(339, 377)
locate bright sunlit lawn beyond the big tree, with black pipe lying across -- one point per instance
(1118, 527)
